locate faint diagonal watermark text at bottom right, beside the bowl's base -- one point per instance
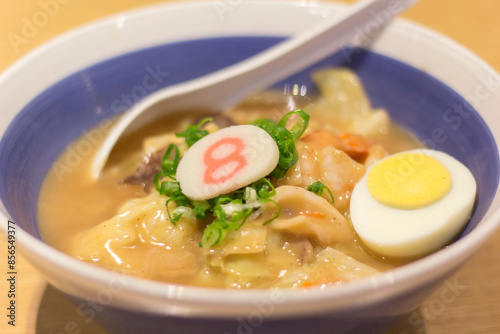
(447, 295)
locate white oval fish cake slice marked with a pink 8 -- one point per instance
(226, 160)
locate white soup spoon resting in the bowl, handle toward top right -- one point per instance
(226, 87)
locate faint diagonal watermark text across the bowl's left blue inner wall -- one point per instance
(75, 153)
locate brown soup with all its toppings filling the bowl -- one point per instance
(255, 197)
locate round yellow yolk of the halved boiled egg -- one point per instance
(409, 181)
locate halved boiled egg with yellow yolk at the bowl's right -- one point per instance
(412, 203)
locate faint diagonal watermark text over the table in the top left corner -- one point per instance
(31, 24)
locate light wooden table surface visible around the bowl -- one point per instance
(476, 308)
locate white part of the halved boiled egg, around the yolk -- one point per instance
(405, 233)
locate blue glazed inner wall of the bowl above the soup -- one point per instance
(74, 105)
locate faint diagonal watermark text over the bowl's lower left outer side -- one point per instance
(89, 308)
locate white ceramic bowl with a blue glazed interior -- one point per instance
(428, 84)
